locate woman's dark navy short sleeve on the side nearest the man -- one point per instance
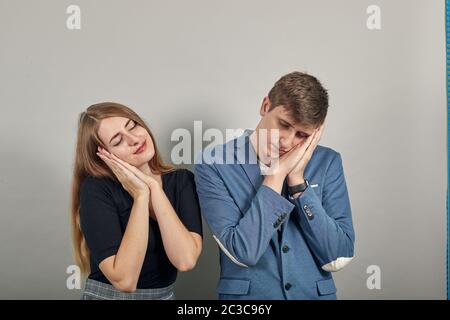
(188, 204)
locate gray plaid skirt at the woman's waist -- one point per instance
(96, 290)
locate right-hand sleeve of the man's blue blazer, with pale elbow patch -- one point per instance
(327, 224)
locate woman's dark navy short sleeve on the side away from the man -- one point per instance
(99, 219)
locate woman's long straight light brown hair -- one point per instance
(87, 163)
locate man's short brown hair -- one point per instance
(303, 96)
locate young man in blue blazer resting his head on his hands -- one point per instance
(283, 223)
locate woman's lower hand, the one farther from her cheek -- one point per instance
(130, 182)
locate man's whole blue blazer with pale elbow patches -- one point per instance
(273, 247)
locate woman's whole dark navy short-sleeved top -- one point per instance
(105, 208)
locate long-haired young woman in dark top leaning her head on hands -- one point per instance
(135, 220)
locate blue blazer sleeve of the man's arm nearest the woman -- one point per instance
(242, 236)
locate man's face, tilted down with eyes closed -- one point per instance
(290, 132)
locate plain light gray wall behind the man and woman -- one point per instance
(179, 61)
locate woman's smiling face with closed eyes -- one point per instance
(127, 140)
